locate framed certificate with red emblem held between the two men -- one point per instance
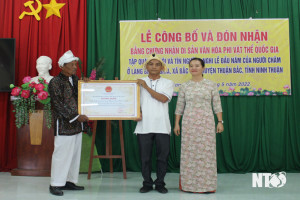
(109, 100)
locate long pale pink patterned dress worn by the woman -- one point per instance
(198, 166)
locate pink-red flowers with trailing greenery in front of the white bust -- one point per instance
(26, 97)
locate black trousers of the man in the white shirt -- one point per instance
(162, 142)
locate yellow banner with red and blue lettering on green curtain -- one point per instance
(245, 57)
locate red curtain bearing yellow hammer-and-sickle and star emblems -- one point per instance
(61, 27)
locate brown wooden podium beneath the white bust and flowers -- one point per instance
(35, 144)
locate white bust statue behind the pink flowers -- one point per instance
(43, 65)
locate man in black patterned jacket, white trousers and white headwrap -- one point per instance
(68, 126)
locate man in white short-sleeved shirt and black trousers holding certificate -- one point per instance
(154, 124)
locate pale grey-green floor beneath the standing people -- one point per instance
(113, 186)
